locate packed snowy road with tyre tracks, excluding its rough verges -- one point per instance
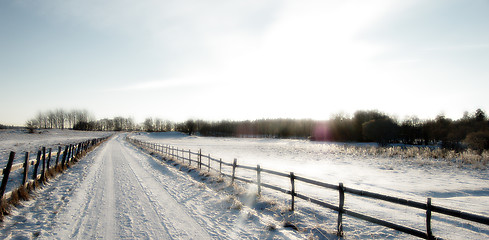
(121, 199)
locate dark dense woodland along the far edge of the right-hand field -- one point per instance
(472, 130)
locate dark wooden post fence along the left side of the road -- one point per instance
(46, 159)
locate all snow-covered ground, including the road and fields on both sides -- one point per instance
(120, 192)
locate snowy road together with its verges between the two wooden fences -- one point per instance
(121, 192)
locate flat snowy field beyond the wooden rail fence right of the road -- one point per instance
(458, 187)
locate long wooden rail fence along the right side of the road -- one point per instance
(199, 159)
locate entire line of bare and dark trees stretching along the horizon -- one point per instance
(472, 130)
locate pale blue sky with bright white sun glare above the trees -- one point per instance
(243, 60)
